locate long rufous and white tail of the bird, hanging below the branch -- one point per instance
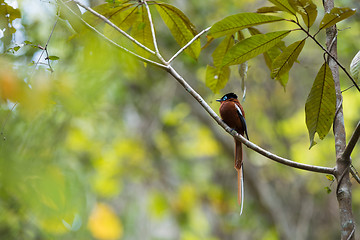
(240, 172)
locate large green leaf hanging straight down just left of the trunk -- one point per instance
(321, 104)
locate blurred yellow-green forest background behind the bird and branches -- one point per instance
(105, 147)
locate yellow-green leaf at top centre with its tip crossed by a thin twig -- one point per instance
(180, 27)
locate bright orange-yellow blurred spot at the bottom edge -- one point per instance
(104, 224)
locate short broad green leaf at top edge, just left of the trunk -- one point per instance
(307, 10)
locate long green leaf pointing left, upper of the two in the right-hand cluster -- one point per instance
(234, 23)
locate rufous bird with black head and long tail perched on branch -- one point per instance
(232, 113)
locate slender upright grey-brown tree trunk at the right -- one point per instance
(343, 191)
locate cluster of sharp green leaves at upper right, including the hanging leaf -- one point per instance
(281, 63)
